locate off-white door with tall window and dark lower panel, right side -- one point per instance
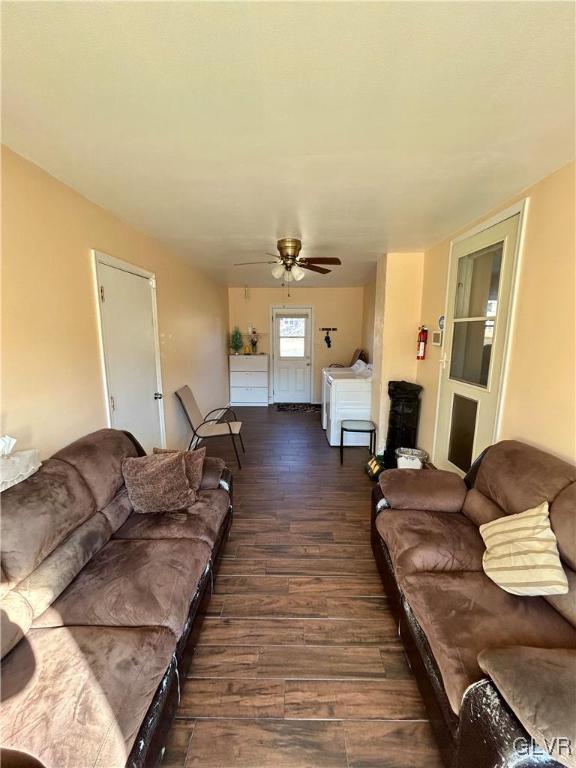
(478, 313)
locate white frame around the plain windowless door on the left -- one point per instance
(101, 258)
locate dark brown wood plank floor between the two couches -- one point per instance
(298, 664)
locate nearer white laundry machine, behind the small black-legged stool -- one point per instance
(347, 397)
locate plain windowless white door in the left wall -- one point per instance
(129, 338)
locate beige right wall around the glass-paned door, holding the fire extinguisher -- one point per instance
(539, 395)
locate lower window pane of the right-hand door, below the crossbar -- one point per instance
(471, 351)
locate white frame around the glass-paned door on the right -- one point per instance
(519, 208)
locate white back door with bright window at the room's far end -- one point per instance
(292, 379)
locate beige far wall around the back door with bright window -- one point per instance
(340, 308)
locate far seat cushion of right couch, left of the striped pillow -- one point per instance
(430, 541)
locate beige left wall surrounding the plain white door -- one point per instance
(52, 388)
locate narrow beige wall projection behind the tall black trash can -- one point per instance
(398, 302)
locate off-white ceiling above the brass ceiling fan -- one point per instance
(360, 127)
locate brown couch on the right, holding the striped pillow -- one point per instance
(429, 552)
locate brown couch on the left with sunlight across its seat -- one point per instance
(100, 607)
